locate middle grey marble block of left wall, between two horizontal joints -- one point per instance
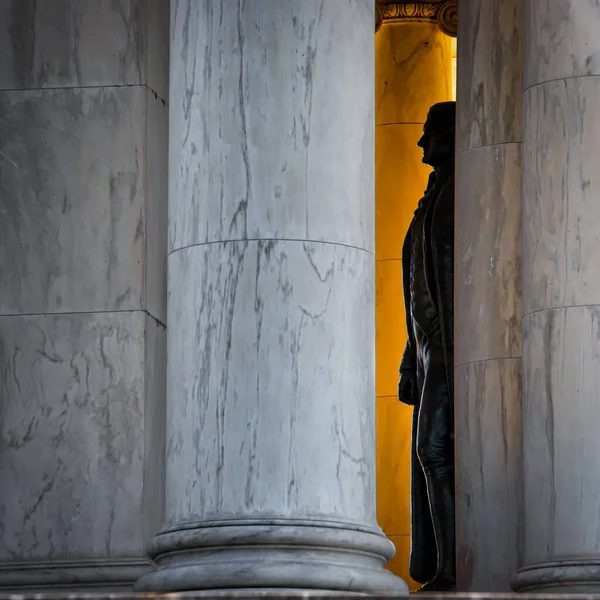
(72, 178)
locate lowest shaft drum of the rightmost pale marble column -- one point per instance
(561, 446)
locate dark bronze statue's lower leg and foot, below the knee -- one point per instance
(440, 489)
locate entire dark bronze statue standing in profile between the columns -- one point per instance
(426, 371)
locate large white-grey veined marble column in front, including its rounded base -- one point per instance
(271, 398)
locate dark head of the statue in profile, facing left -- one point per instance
(437, 140)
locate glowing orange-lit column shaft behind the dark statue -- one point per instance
(413, 71)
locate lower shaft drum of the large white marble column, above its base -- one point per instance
(271, 382)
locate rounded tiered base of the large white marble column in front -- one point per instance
(271, 555)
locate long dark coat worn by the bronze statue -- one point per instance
(438, 252)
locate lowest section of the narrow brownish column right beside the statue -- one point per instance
(488, 475)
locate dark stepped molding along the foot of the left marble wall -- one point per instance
(54, 576)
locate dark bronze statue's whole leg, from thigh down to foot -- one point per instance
(435, 449)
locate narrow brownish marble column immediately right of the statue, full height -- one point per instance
(488, 293)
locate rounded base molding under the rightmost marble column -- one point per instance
(572, 576)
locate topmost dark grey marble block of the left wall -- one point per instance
(81, 43)
